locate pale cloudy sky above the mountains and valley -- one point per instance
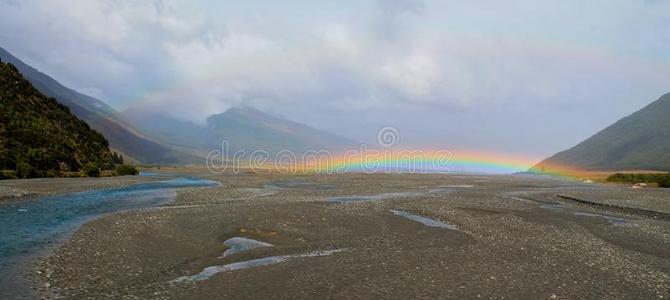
(526, 77)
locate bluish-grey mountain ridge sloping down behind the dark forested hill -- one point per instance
(121, 134)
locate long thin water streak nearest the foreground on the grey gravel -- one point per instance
(211, 271)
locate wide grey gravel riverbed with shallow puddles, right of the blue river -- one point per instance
(507, 237)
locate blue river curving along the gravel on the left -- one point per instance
(28, 227)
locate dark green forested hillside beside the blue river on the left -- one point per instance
(39, 136)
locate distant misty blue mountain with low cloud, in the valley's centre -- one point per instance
(244, 128)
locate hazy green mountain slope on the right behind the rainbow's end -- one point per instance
(640, 141)
